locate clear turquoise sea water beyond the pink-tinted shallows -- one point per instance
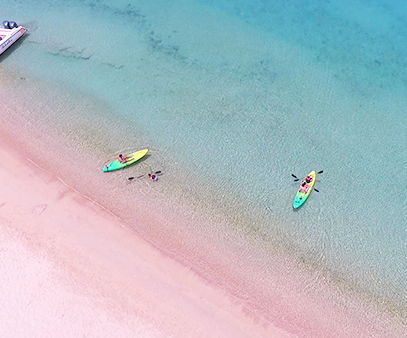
(244, 93)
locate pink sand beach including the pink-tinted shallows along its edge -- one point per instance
(71, 267)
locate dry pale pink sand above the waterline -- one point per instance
(70, 268)
